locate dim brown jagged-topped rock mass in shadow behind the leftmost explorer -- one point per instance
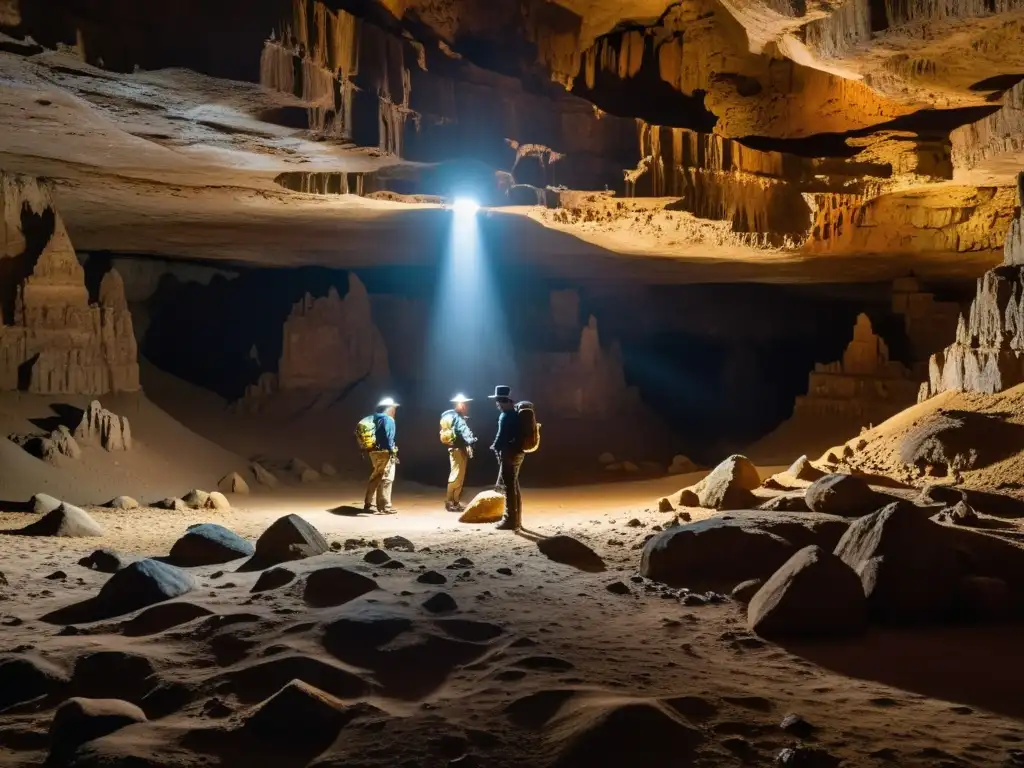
(330, 345)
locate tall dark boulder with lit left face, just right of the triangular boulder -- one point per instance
(909, 567)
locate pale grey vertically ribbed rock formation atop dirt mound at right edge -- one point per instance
(988, 355)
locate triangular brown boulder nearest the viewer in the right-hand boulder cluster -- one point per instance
(815, 593)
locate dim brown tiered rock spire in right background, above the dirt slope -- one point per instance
(865, 387)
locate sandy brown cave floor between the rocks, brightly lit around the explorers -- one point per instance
(542, 635)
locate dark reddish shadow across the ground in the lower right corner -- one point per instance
(938, 663)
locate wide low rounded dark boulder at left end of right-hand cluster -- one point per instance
(713, 553)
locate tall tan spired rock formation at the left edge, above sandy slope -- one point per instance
(53, 340)
